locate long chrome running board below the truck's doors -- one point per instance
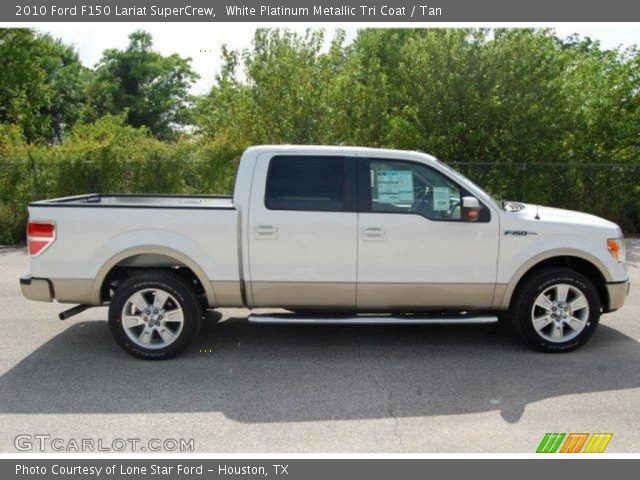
(373, 320)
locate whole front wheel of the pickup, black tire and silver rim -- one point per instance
(555, 310)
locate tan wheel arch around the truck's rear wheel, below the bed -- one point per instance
(149, 256)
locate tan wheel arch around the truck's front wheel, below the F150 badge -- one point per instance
(587, 264)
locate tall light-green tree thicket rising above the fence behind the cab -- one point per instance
(474, 95)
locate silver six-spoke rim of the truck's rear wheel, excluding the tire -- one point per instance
(152, 318)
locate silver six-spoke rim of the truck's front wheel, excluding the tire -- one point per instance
(560, 313)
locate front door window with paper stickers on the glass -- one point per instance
(407, 187)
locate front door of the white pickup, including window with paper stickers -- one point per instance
(417, 248)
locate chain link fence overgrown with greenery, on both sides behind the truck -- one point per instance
(610, 190)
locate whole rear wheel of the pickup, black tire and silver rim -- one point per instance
(154, 315)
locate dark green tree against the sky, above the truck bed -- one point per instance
(151, 88)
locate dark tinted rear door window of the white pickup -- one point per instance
(311, 183)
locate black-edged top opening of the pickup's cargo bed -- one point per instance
(123, 200)
